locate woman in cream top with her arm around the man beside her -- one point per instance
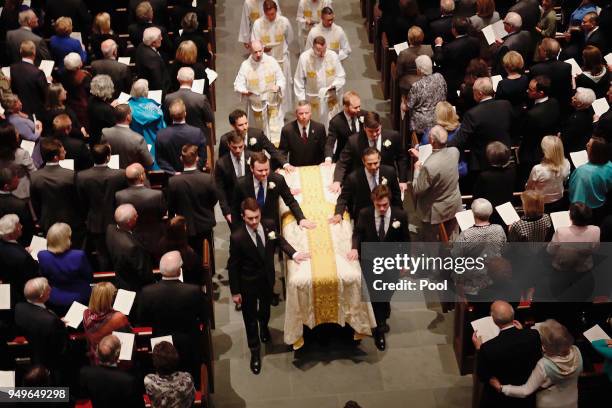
(556, 373)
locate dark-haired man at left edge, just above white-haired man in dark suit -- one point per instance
(9, 204)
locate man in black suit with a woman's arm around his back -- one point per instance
(510, 357)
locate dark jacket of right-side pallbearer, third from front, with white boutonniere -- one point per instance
(392, 154)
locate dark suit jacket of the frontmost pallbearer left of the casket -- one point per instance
(248, 271)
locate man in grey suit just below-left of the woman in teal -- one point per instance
(129, 145)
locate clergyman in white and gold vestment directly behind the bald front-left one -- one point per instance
(275, 33)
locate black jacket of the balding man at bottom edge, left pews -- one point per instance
(110, 387)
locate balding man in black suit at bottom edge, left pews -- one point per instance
(105, 384)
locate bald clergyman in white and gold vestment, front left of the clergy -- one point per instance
(261, 83)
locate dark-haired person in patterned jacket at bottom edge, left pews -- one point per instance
(168, 387)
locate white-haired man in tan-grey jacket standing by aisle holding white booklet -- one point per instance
(436, 186)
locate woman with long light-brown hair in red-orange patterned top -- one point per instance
(100, 319)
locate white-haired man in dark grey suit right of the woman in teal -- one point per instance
(199, 112)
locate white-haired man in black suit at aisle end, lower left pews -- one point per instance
(181, 317)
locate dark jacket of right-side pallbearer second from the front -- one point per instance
(356, 191)
